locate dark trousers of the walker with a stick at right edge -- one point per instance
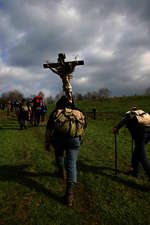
(139, 154)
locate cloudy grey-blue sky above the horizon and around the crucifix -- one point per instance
(111, 36)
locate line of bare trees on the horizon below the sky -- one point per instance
(102, 93)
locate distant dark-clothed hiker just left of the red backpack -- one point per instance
(23, 114)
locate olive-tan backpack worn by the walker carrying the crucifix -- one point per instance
(69, 122)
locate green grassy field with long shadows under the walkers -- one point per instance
(31, 194)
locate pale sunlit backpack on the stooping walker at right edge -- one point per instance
(142, 117)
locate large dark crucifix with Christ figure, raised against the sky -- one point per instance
(64, 70)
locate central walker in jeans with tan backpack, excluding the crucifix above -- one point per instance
(64, 131)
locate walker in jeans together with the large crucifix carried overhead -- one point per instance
(65, 126)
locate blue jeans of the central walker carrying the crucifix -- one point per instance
(72, 146)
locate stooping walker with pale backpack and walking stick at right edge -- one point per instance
(138, 123)
